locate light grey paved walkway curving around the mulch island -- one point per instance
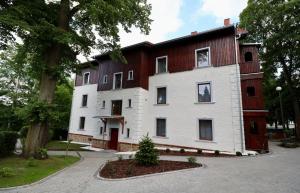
(275, 173)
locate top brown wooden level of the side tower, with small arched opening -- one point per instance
(249, 67)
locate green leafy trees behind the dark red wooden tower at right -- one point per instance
(276, 24)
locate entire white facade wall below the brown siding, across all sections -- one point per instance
(181, 111)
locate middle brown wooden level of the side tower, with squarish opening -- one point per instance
(252, 102)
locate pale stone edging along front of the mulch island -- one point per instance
(97, 175)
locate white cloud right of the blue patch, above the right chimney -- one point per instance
(222, 9)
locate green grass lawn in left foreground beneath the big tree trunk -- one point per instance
(24, 173)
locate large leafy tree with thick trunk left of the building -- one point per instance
(54, 32)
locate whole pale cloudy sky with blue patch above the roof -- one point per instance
(175, 18)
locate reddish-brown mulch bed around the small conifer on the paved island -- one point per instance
(128, 168)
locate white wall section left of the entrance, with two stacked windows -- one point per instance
(91, 124)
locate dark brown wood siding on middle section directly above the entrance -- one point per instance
(109, 67)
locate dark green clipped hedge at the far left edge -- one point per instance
(8, 140)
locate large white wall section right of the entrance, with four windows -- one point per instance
(182, 110)
